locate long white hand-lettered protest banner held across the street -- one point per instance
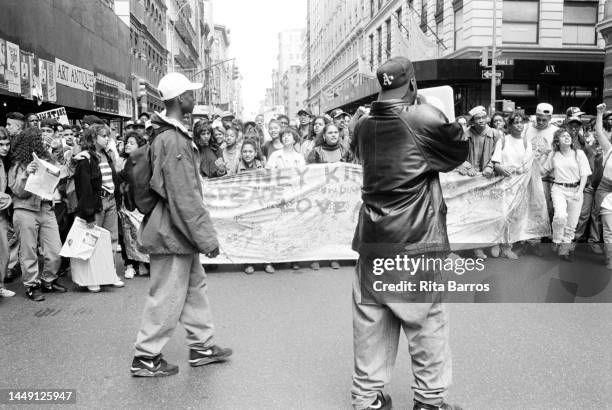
(311, 214)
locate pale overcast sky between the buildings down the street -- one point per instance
(254, 27)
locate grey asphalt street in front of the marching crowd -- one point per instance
(292, 337)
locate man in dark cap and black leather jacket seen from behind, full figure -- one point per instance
(403, 146)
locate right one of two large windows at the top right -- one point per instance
(579, 19)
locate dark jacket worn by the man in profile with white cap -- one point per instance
(179, 224)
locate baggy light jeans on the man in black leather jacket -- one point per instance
(376, 330)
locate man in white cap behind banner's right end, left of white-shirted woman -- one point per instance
(540, 135)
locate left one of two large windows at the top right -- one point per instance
(521, 21)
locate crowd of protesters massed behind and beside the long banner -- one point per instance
(572, 158)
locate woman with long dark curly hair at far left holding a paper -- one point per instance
(34, 220)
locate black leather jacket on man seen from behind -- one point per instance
(402, 149)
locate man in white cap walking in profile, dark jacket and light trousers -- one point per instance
(174, 234)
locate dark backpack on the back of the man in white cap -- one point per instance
(138, 172)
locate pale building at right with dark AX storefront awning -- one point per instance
(548, 50)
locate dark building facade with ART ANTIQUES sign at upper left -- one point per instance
(55, 56)
